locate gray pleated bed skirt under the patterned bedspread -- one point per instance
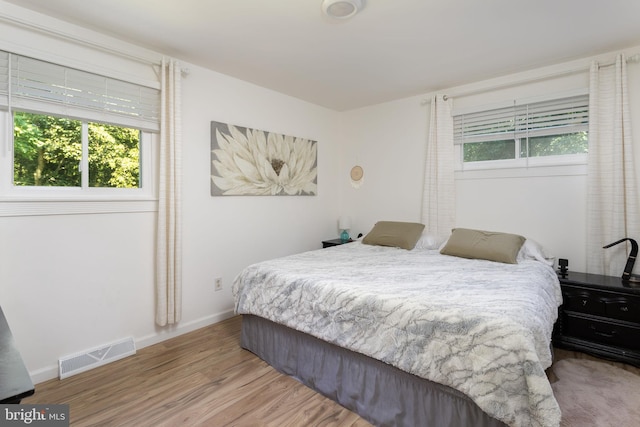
(378, 392)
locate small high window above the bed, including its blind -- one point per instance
(542, 133)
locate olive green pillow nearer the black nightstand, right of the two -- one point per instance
(478, 244)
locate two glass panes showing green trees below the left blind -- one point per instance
(51, 151)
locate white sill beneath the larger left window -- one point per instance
(16, 207)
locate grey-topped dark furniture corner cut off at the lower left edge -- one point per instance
(15, 382)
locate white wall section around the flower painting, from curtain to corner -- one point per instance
(224, 234)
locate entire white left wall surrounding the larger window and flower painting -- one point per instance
(69, 283)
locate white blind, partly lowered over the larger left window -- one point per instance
(34, 85)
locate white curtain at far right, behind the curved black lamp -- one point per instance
(612, 211)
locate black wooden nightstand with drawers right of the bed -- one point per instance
(599, 315)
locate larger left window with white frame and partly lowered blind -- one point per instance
(73, 133)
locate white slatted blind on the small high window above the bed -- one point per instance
(558, 116)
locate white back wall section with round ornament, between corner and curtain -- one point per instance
(388, 141)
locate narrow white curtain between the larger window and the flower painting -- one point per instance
(169, 226)
